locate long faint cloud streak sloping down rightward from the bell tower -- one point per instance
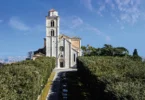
(72, 23)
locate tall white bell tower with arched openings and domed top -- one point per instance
(52, 34)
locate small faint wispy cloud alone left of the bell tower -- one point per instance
(16, 23)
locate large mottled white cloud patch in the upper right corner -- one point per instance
(127, 11)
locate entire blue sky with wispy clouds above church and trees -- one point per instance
(96, 22)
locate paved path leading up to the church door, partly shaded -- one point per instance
(54, 90)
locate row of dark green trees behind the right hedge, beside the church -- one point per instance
(109, 50)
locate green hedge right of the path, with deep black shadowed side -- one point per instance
(112, 78)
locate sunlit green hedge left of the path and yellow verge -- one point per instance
(25, 80)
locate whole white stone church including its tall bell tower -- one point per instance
(66, 49)
